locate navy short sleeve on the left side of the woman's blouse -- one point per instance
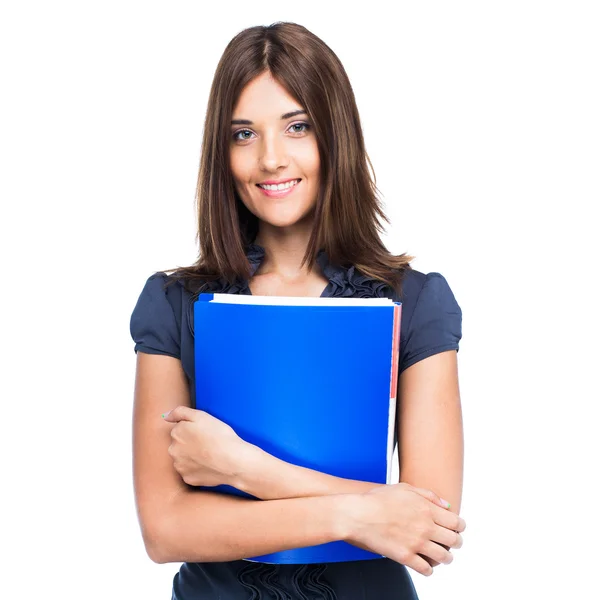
(153, 326)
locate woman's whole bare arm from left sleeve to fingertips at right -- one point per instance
(183, 524)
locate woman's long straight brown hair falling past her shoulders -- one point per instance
(348, 208)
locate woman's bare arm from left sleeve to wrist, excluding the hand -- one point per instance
(179, 523)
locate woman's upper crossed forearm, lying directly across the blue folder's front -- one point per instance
(267, 477)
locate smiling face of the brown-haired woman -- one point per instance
(273, 143)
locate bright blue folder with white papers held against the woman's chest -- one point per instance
(311, 385)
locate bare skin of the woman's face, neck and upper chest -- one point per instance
(272, 148)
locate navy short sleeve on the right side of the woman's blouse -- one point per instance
(435, 324)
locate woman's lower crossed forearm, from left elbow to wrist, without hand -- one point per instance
(211, 527)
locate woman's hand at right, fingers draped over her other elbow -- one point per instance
(406, 524)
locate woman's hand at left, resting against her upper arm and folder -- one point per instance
(205, 451)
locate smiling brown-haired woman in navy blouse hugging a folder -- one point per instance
(287, 207)
